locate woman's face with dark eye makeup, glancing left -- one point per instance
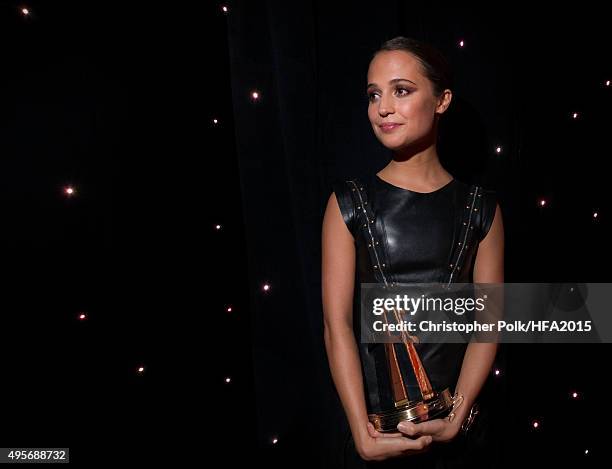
(398, 92)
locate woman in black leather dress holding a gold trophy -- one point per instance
(415, 199)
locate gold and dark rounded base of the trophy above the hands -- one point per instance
(438, 406)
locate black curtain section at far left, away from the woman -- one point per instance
(118, 100)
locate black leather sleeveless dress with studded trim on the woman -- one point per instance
(426, 238)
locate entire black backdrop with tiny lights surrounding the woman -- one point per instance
(119, 100)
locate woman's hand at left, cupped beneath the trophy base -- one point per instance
(378, 446)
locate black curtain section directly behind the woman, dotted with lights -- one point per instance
(519, 78)
